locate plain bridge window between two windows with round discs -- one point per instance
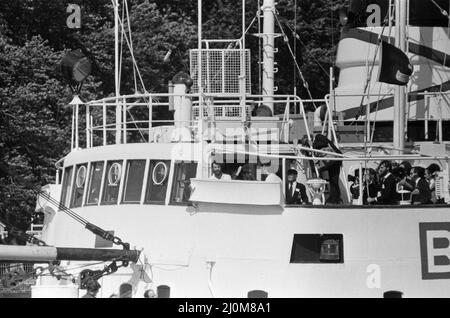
(134, 178)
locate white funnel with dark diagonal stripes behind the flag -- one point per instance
(351, 58)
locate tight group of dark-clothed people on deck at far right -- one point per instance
(393, 183)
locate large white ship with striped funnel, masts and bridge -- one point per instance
(148, 181)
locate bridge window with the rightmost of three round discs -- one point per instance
(158, 178)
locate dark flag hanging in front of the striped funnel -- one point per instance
(395, 67)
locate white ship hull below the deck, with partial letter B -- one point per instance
(250, 249)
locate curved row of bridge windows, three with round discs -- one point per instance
(108, 182)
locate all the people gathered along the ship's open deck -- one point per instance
(390, 184)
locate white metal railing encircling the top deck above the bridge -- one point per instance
(129, 119)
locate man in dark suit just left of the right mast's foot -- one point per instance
(388, 192)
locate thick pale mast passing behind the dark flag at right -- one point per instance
(401, 7)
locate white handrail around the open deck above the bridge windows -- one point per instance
(227, 108)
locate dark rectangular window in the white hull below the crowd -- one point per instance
(317, 248)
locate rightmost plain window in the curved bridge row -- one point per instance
(181, 190)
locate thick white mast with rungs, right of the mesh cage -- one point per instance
(269, 52)
